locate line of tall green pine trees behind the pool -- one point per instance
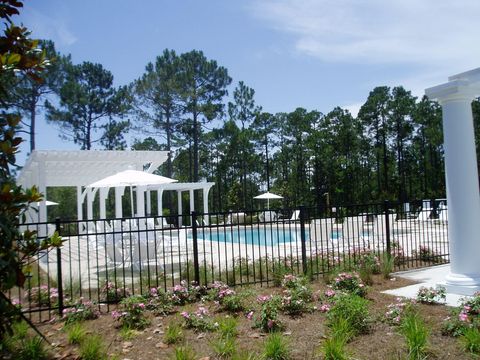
(391, 150)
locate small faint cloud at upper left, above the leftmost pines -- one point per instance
(52, 27)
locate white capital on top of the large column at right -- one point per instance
(456, 90)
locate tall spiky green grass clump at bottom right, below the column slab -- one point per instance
(416, 335)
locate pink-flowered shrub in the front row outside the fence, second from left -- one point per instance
(132, 315)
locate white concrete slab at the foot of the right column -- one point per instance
(428, 277)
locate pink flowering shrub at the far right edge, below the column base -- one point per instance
(465, 316)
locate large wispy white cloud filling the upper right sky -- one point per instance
(426, 32)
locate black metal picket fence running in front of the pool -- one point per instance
(102, 260)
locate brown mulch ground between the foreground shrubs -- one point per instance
(304, 333)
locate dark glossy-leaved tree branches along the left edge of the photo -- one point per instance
(19, 56)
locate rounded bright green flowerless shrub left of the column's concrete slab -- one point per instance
(353, 309)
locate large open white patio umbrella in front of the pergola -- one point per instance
(131, 178)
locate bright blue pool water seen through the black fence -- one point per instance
(254, 236)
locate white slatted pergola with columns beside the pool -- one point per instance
(79, 168)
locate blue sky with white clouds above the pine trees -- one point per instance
(316, 54)
